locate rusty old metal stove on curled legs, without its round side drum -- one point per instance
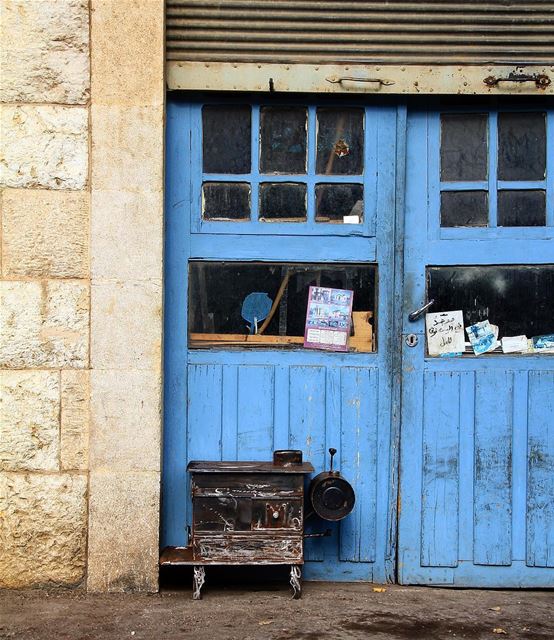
(246, 513)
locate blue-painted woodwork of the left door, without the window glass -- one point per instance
(243, 404)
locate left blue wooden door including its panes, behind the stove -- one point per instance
(229, 401)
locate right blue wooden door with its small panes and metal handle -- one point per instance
(477, 452)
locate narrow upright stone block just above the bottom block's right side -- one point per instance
(75, 418)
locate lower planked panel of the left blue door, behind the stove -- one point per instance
(231, 414)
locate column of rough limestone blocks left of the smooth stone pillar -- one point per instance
(45, 291)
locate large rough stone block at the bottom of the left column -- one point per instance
(43, 529)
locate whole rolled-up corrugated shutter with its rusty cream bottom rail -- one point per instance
(508, 36)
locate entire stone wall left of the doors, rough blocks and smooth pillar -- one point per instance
(81, 223)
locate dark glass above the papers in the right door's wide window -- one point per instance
(517, 298)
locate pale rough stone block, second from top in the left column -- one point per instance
(44, 146)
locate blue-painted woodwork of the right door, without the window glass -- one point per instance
(477, 433)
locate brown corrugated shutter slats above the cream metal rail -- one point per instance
(430, 32)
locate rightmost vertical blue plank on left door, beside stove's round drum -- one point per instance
(358, 461)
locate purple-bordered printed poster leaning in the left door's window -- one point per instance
(328, 319)
